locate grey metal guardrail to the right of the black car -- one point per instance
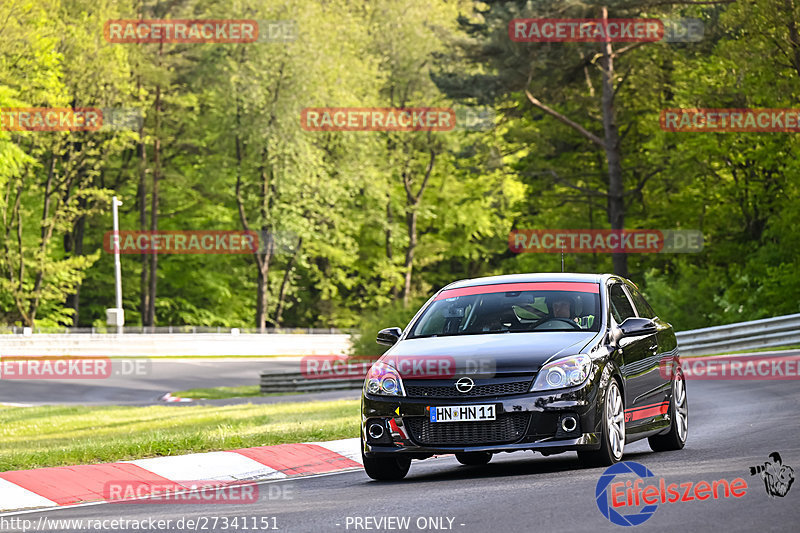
(752, 335)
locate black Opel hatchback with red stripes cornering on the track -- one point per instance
(543, 362)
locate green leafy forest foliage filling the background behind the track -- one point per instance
(342, 203)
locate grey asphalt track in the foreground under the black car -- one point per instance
(733, 425)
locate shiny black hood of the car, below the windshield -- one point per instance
(498, 353)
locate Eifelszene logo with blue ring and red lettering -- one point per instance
(616, 497)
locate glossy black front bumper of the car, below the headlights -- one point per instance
(542, 413)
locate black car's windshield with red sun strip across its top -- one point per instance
(485, 309)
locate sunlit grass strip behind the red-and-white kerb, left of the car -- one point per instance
(34, 437)
